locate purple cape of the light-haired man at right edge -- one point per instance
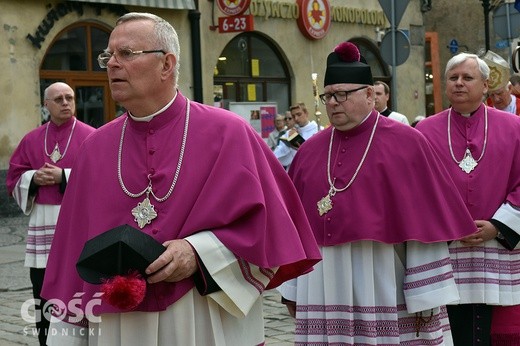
(492, 182)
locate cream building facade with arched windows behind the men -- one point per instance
(268, 67)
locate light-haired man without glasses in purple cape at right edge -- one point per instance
(480, 148)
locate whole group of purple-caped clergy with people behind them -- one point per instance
(367, 244)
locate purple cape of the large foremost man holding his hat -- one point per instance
(229, 182)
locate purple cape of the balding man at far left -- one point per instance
(30, 155)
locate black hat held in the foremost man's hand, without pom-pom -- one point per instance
(119, 251)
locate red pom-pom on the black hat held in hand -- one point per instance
(124, 292)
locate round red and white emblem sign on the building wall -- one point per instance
(314, 19)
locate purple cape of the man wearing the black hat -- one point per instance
(402, 192)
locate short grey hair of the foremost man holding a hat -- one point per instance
(165, 35)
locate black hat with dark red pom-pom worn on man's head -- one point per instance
(345, 65)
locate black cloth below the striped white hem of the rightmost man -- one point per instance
(470, 324)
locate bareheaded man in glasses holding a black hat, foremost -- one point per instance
(197, 180)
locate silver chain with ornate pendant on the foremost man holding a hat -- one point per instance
(144, 212)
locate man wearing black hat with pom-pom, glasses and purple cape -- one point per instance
(382, 209)
